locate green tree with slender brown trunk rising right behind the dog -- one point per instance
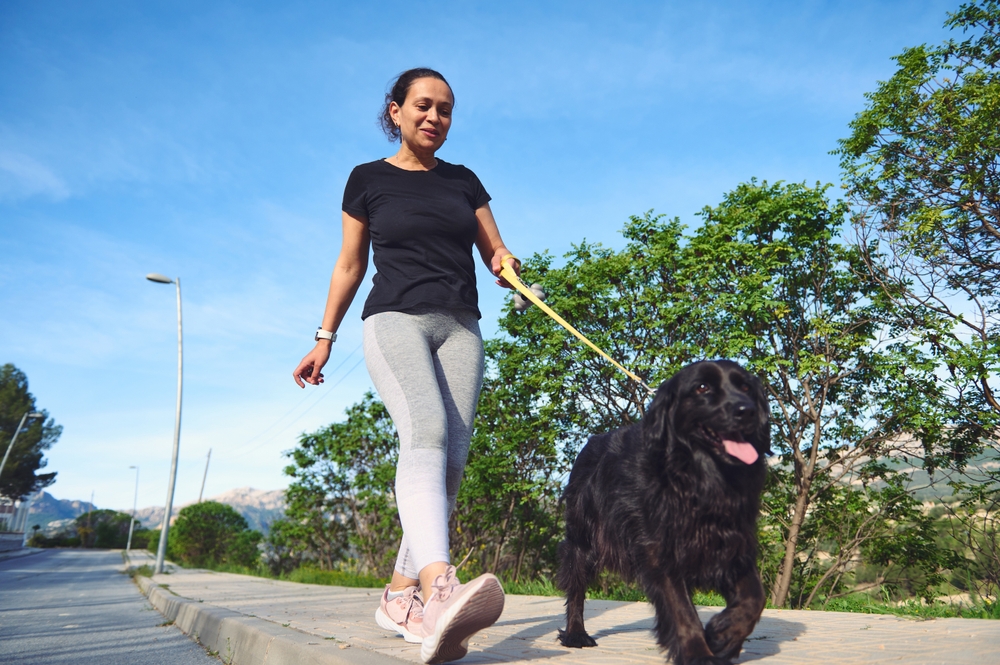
(772, 286)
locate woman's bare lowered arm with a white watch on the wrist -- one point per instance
(347, 276)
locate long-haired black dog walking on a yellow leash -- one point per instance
(672, 502)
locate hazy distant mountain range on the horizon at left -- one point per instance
(258, 507)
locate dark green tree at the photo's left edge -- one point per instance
(20, 477)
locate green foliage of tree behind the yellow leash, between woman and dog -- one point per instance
(630, 303)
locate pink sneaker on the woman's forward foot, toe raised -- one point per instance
(457, 611)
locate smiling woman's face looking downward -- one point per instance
(425, 116)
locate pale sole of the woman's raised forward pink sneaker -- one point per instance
(479, 608)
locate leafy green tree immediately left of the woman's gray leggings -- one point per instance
(341, 496)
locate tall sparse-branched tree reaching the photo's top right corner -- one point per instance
(922, 166)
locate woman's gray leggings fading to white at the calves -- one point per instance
(428, 369)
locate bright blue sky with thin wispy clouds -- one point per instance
(212, 141)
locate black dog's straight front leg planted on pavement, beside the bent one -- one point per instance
(678, 628)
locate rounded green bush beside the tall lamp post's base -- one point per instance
(208, 533)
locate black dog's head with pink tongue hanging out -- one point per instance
(716, 406)
